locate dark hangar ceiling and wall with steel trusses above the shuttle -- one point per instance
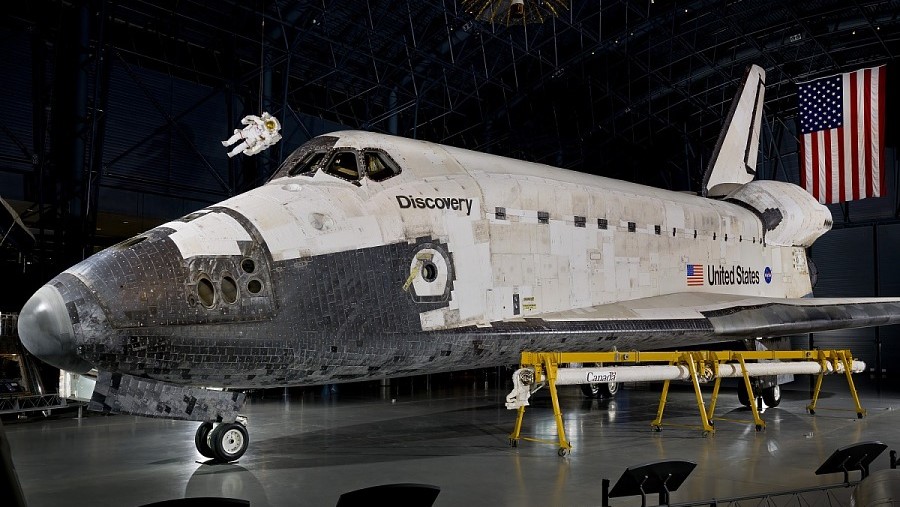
(117, 107)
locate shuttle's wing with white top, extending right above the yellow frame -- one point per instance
(727, 316)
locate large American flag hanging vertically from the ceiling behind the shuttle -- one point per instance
(842, 124)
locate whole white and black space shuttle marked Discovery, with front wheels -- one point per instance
(368, 256)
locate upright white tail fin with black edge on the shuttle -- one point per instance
(734, 160)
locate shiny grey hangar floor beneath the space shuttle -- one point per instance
(309, 448)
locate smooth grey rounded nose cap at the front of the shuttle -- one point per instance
(46, 331)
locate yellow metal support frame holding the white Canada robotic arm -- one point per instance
(702, 365)
